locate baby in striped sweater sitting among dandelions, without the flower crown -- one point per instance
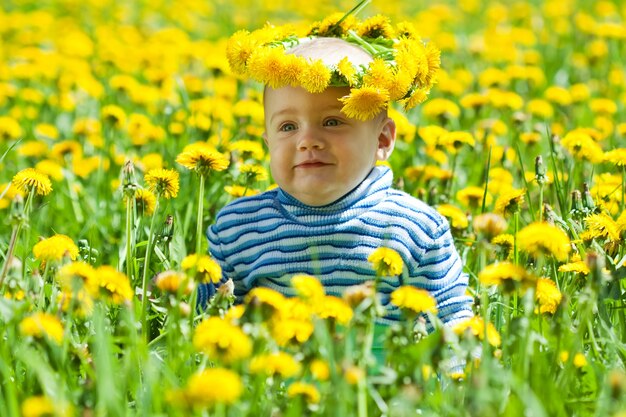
(334, 204)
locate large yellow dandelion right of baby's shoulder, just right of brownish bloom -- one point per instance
(542, 238)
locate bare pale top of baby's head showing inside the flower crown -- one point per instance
(331, 51)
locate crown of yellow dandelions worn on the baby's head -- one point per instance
(402, 68)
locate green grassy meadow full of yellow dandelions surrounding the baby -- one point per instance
(106, 109)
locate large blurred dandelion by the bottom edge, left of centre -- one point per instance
(212, 386)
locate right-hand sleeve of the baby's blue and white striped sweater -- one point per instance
(442, 269)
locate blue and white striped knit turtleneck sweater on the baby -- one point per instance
(264, 240)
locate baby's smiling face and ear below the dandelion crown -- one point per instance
(317, 153)
